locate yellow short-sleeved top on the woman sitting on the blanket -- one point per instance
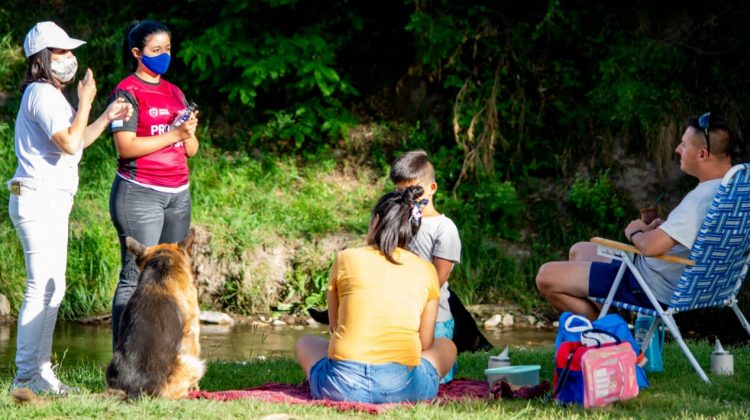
(380, 305)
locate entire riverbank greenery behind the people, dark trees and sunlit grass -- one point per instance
(549, 122)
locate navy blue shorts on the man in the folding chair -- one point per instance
(601, 277)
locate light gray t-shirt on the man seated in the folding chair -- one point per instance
(682, 225)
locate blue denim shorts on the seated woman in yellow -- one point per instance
(346, 380)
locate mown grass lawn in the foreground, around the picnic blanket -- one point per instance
(677, 393)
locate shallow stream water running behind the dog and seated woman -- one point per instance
(75, 343)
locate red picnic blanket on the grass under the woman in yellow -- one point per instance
(300, 394)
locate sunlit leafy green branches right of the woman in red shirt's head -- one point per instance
(290, 77)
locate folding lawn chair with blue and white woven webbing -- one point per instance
(714, 273)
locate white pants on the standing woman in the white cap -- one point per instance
(41, 221)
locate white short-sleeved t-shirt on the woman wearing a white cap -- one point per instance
(42, 164)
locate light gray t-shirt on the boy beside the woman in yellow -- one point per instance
(438, 237)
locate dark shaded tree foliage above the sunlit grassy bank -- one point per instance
(500, 93)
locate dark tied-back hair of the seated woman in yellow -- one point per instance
(395, 220)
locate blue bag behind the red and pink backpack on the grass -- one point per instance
(571, 326)
